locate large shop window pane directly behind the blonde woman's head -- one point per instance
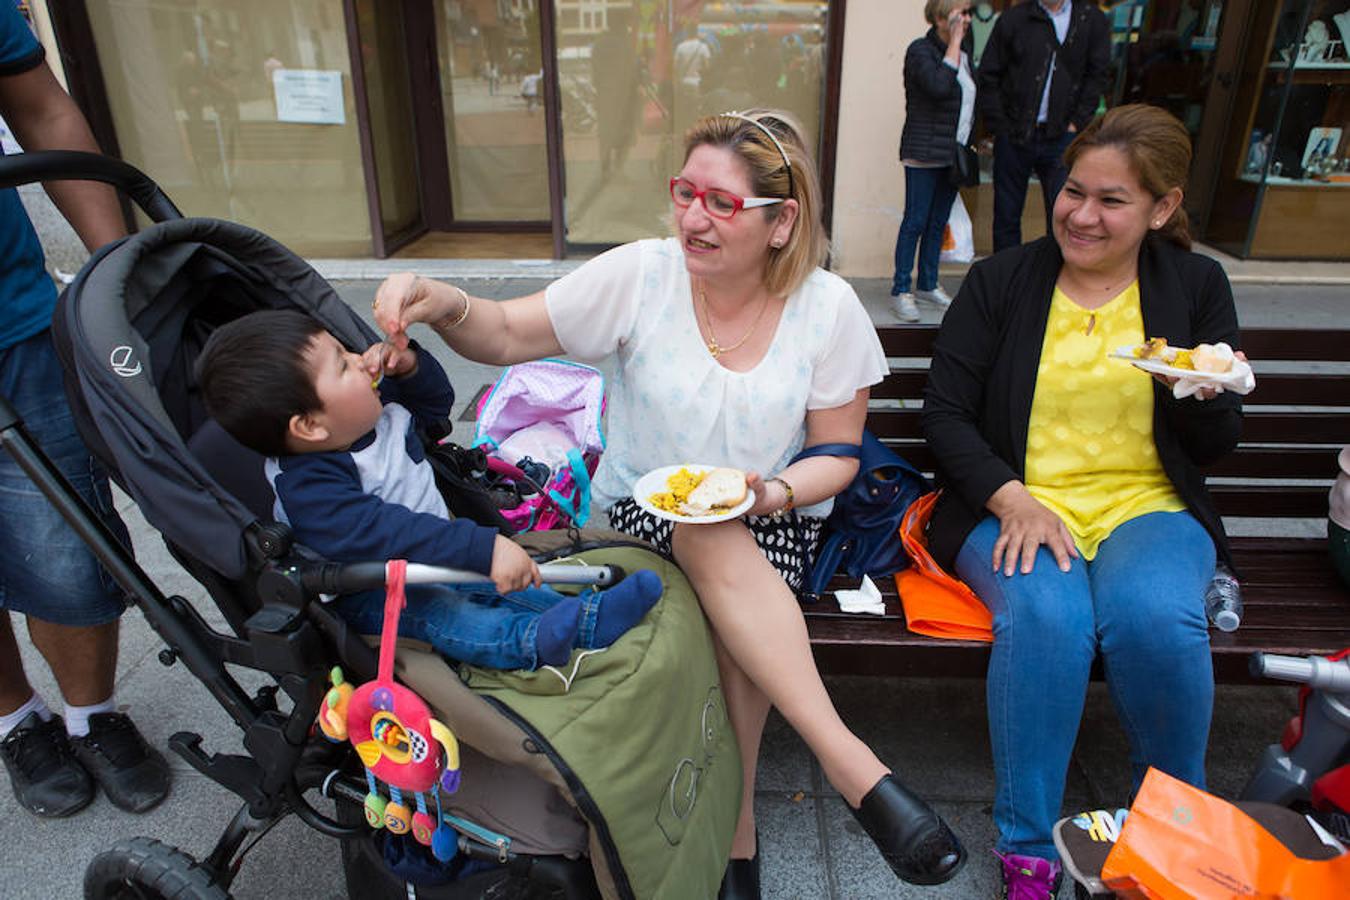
(635, 75)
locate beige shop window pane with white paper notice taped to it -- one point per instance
(190, 86)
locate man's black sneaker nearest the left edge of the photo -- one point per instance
(45, 775)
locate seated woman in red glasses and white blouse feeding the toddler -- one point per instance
(734, 347)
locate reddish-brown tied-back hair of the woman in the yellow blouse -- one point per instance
(1159, 149)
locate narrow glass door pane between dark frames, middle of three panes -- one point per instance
(492, 90)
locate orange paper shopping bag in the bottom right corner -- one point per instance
(1183, 844)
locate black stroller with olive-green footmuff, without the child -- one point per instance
(618, 777)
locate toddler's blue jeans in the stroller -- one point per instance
(473, 624)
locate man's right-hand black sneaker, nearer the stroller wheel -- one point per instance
(134, 775)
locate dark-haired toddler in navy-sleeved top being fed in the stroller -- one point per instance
(353, 484)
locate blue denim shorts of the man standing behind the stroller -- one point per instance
(47, 571)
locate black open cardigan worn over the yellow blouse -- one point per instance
(978, 403)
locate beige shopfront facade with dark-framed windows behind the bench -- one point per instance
(354, 128)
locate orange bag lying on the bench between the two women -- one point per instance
(936, 604)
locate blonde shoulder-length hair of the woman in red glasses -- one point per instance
(772, 146)
